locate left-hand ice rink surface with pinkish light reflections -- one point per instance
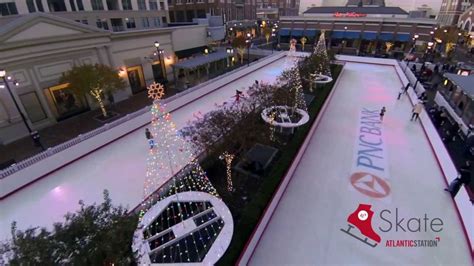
(118, 167)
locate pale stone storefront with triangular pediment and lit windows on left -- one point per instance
(36, 49)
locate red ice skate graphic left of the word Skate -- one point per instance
(362, 219)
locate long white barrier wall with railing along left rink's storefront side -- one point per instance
(33, 168)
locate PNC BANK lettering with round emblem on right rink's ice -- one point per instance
(370, 173)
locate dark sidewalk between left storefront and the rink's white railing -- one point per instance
(69, 128)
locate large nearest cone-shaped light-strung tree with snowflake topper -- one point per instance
(171, 166)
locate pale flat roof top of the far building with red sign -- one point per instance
(364, 10)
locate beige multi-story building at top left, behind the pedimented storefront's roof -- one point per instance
(114, 15)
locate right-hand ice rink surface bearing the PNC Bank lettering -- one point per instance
(305, 226)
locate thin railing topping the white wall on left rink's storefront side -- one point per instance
(82, 137)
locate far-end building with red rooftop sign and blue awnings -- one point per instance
(359, 30)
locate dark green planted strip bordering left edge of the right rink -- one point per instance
(259, 192)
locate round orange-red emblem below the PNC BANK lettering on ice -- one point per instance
(370, 185)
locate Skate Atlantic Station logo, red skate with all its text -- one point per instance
(361, 219)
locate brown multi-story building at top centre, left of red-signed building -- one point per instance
(187, 10)
